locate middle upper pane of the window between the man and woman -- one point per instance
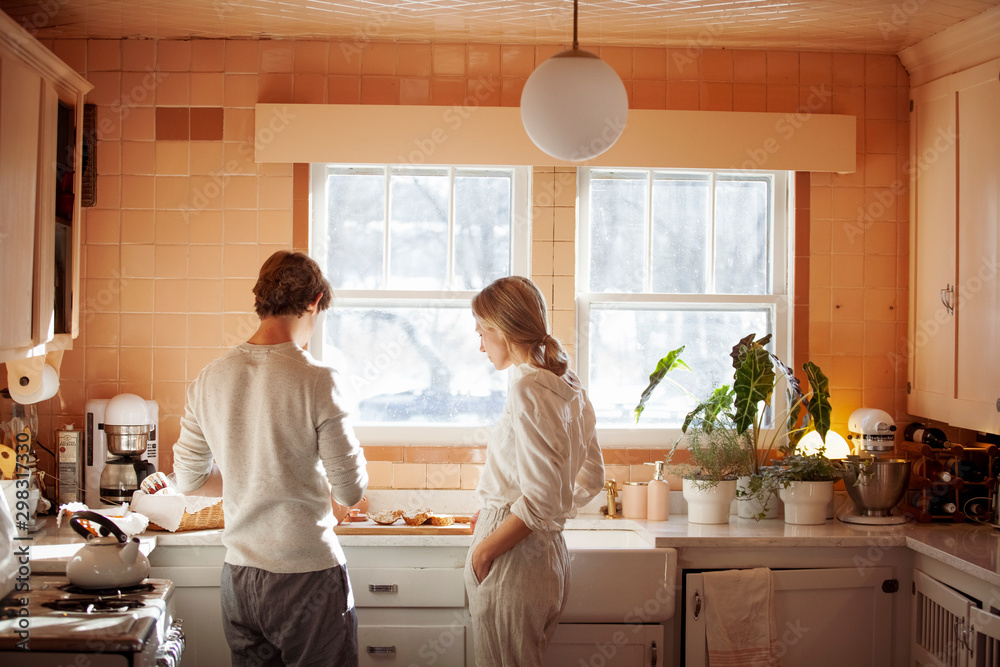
(418, 228)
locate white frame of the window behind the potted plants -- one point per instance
(779, 300)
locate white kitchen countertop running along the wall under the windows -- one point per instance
(967, 547)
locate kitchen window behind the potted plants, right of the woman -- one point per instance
(670, 258)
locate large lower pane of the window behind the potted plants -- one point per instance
(625, 345)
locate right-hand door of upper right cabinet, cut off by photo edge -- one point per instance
(977, 317)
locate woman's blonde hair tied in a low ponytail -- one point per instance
(515, 307)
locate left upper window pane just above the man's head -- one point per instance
(355, 230)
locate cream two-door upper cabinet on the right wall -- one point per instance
(954, 316)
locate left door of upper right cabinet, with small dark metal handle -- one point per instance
(933, 161)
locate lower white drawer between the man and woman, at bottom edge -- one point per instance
(440, 645)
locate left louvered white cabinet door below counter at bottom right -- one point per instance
(938, 624)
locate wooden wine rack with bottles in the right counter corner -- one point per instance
(951, 483)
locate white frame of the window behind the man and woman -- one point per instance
(520, 249)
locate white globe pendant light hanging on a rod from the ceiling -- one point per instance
(574, 105)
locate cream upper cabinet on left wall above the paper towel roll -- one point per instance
(41, 164)
